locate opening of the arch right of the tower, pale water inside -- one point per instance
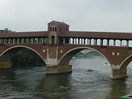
(86, 58)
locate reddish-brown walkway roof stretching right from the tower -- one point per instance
(107, 35)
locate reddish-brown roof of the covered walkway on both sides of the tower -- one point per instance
(75, 34)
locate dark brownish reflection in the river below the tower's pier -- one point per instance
(54, 87)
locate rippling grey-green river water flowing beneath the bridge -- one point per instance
(90, 79)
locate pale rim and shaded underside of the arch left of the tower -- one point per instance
(9, 52)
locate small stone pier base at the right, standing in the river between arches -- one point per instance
(119, 73)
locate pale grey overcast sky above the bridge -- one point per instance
(81, 15)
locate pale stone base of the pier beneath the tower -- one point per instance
(57, 69)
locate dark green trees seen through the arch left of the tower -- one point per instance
(26, 57)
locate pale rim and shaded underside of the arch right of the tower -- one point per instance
(65, 59)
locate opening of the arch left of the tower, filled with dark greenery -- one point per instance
(22, 56)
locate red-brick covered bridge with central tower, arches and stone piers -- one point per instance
(58, 51)
